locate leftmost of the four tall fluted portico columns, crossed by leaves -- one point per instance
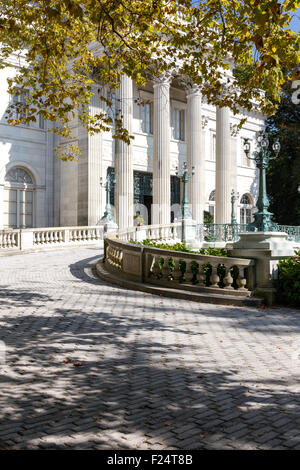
(123, 158)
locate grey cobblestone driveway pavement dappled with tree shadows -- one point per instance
(91, 366)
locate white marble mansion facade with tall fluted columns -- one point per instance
(170, 123)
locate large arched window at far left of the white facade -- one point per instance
(18, 199)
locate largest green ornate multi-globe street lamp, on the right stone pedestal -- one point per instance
(262, 218)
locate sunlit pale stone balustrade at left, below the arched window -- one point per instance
(37, 238)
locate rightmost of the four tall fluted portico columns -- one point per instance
(224, 166)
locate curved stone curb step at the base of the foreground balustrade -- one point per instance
(175, 293)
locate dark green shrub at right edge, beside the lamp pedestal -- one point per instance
(288, 284)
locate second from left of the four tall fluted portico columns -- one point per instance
(161, 151)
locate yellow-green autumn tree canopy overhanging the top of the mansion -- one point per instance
(71, 46)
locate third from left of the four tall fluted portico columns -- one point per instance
(195, 155)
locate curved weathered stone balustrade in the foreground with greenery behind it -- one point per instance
(214, 274)
